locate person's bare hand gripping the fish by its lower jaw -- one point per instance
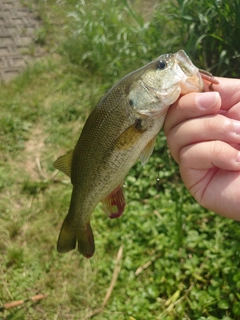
(203, 133)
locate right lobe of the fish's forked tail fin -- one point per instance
(85, 239)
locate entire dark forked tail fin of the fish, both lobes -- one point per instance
(68, 236)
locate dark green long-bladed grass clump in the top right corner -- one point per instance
(206, 29)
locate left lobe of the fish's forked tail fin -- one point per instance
(67, 237)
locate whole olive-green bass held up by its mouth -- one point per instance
(121, 129)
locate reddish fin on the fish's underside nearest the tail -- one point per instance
(114, 203)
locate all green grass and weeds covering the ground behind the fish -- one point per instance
(168, 257)
